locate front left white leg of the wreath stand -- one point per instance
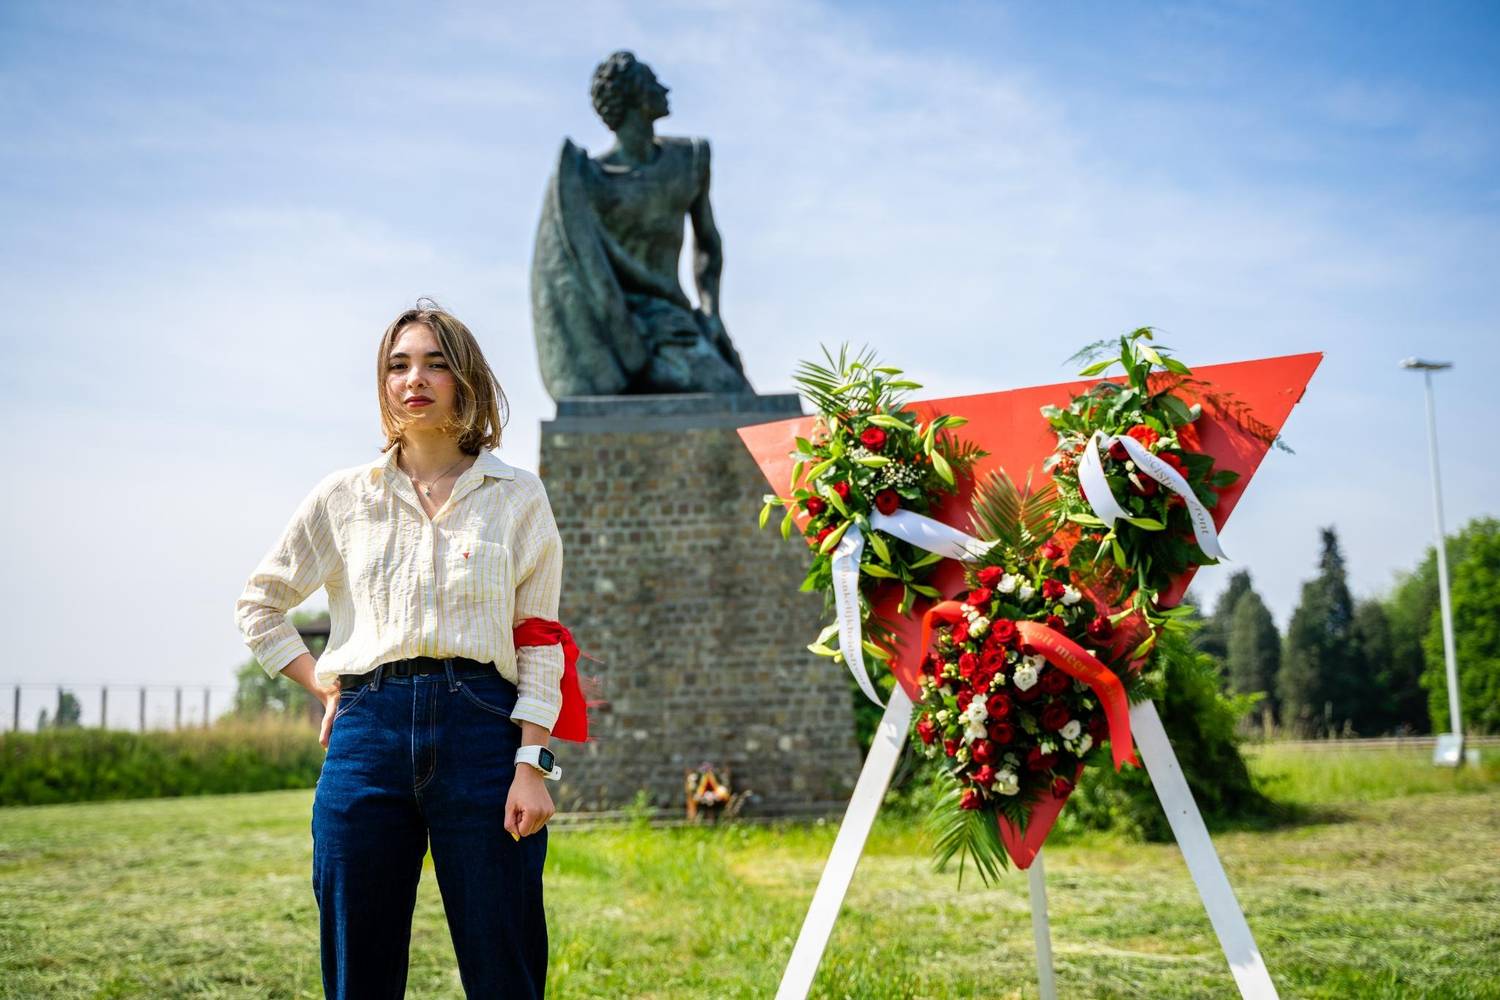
(875, 779)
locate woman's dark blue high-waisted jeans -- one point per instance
(410, 759)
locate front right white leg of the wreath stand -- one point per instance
(1198, 851)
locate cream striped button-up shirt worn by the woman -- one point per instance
(407, 585)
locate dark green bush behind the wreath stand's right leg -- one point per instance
(1202, 725)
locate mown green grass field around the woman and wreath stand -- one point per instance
(1388, 887)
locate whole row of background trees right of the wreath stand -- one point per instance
(1373, 666)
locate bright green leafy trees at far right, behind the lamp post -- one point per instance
(1477, 636)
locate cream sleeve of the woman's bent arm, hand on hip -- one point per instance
(287, 576)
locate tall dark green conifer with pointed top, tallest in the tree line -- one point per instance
(1319, 684)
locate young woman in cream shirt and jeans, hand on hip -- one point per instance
(436, 719)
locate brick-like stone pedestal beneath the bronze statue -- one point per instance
(695, 612)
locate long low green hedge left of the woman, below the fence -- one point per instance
(83, 765)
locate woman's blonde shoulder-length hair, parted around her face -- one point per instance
(481, 410)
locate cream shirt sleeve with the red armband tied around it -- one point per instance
(539, 587)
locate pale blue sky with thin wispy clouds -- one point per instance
(212, 212)
